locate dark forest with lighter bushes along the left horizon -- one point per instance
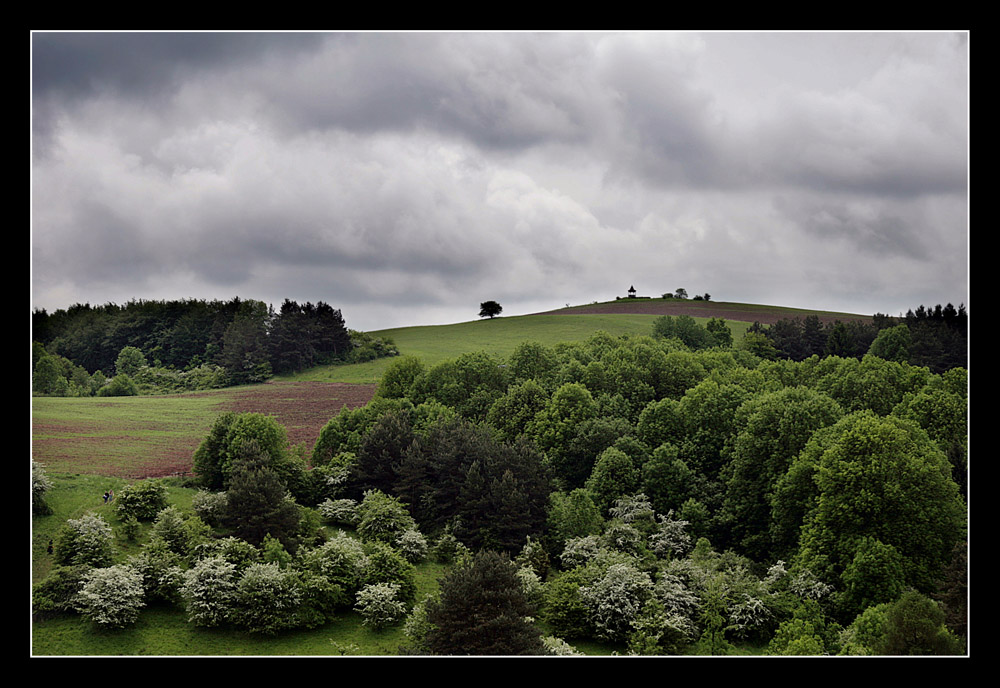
(193, 344)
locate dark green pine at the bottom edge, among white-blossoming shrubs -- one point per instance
(482, 611)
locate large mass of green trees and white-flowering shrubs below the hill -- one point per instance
(637, 491)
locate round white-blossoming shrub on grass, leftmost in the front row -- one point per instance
(111, 596)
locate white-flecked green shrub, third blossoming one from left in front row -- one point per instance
(267, 599)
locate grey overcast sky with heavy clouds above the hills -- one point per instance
(407, 177)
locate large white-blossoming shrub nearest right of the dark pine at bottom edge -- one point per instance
(614, 601)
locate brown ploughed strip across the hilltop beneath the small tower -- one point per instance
(683, 307)
